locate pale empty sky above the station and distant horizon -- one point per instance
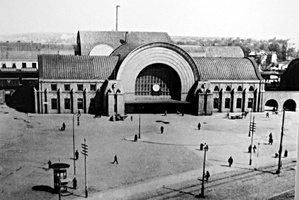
(260, 19)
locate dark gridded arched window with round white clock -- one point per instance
(158, 80)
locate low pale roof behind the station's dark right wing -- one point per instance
(214, 51)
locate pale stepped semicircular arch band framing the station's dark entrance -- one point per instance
(163, 53)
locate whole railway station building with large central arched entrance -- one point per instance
(145, 72)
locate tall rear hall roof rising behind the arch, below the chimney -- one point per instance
(87, 40)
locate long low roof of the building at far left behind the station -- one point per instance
(30, 50)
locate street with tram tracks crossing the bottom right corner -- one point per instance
(262, 183)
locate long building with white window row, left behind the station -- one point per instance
(18, 62)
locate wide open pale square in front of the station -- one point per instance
(28, 142)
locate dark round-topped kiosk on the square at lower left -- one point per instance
(60, 175)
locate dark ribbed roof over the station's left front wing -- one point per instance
(76, 67)
